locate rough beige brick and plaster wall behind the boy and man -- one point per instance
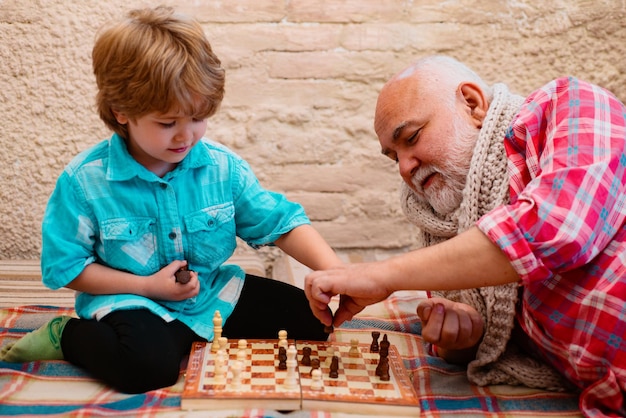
(302, 80)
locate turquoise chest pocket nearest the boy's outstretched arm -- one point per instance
(211, 234)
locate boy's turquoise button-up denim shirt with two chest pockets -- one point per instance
(106, 208)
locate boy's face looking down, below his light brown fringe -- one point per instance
(159, 141)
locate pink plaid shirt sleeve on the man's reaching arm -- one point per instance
(566, 167)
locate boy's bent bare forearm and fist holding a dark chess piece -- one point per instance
(98, 279)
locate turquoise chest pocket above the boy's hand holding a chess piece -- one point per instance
(130, 245)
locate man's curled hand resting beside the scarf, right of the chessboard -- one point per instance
(455, 328)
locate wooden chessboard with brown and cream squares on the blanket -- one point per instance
(356, 390)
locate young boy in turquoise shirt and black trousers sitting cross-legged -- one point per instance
(130, 212)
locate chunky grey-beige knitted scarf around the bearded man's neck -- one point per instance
(496, 362)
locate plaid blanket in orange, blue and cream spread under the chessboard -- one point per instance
(57, 388)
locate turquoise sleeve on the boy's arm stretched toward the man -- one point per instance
(263, 216)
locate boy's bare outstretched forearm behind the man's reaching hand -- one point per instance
(307, 246)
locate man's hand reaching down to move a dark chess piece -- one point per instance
(358, 285)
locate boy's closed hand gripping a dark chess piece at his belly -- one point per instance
(163, 284)
